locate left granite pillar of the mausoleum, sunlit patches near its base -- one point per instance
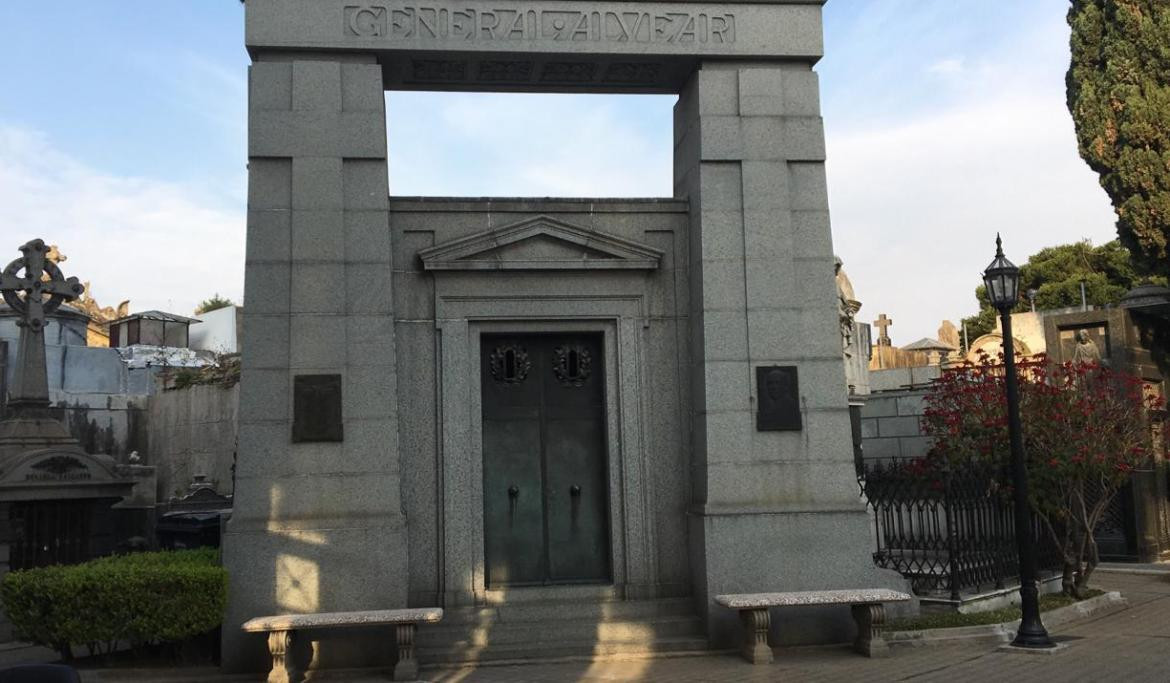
(316, 527)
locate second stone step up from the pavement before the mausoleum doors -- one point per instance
(560, 631)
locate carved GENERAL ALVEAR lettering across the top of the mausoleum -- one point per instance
(408, 20)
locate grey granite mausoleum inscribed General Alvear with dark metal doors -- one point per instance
(603, 411)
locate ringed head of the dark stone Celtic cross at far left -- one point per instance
(43, 295)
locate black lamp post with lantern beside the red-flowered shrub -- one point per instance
(1002, 280)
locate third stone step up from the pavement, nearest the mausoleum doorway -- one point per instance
(560, 611)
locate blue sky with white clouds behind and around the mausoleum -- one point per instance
(123, 129)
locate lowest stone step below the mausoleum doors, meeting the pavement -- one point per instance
(467, 653)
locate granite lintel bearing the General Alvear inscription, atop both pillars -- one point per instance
(539, 45)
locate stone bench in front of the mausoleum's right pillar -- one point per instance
(869, 611)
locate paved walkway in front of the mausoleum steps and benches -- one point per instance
(1131, 646)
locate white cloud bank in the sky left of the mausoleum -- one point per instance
(160, 245)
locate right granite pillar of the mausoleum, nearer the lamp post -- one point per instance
(773, 510)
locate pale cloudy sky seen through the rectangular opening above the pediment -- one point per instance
(532, 146)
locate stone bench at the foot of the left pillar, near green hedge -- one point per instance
(283, 634)
